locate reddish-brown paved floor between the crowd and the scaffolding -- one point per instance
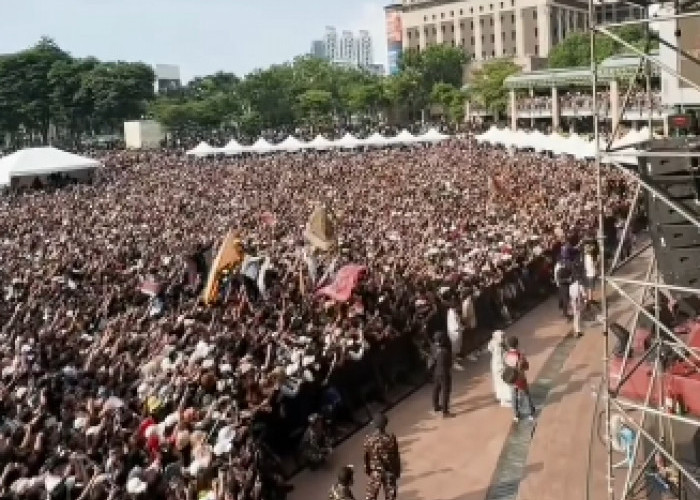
(481, 453)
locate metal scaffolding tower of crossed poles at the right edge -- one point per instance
(652, 457)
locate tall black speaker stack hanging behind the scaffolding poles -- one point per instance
(675, 239)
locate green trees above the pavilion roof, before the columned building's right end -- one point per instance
(575, 50)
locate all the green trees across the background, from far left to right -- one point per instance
(45, 86)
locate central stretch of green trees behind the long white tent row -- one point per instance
(313, 93)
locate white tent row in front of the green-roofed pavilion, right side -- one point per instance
(573, 145)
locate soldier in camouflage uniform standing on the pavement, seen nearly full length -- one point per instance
(382, 461)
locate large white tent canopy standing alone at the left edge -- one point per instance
(35, 162)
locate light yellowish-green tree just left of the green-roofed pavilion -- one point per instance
(487, 88)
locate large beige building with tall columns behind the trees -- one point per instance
(525, 30)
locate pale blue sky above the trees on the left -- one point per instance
(200, 36)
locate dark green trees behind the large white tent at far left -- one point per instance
(44, 86)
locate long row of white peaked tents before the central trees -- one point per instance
(319, 143)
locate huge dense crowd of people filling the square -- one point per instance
(118, 382)
